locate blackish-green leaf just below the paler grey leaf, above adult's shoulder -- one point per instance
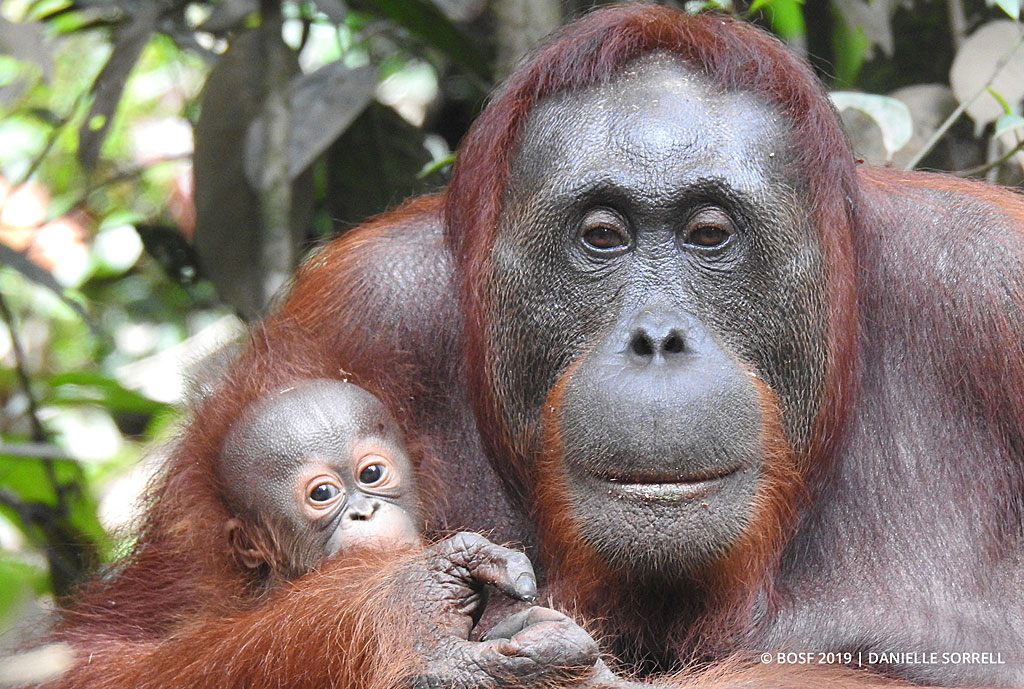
(375, 165)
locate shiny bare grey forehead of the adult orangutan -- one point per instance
(656, 122)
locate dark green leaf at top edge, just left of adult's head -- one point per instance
(425, 21)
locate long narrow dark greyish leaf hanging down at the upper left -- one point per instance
(129, 45)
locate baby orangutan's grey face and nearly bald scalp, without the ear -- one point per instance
(325, 462)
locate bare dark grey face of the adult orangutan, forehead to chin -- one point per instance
(656, 248)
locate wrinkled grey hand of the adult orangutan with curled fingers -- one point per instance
(533, 648)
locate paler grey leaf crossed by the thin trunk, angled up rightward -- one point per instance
(323, 106)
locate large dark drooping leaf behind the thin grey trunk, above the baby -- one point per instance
(228, 219)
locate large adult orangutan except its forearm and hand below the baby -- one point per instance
(734, 394)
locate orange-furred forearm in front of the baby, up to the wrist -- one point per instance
(234, 641)
